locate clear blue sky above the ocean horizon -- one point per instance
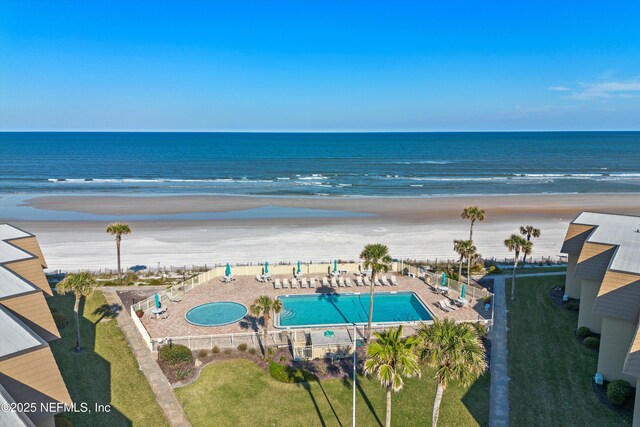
(319, 66)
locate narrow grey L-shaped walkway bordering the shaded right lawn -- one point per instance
(499, 390)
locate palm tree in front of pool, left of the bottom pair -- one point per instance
(392, 358)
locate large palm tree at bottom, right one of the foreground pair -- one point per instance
(455, 351)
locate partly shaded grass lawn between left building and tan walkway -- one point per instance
(106, 372)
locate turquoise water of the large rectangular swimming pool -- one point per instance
(340, 309)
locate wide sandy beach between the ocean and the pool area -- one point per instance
(420, 228)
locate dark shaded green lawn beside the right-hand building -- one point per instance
(550, 370)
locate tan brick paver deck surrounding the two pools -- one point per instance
(246, 289)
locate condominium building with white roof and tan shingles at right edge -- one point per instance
(604, 274)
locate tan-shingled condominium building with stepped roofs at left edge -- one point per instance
(29, 377)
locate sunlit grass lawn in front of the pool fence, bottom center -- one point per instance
(238, 392)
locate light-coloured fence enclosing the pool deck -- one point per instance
(298, 340)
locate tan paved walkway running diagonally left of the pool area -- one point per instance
(158, 382)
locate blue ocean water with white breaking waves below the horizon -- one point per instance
(320, 165)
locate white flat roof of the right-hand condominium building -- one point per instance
(622, 231)
